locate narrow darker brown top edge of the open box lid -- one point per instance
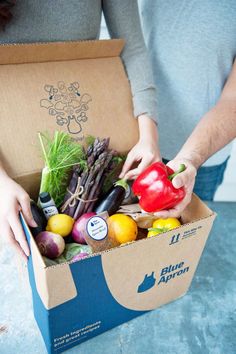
(59, 51)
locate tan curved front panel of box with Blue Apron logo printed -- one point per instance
(125, 268)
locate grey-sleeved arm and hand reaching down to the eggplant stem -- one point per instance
(123, 21)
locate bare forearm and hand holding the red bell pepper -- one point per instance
(216, 129)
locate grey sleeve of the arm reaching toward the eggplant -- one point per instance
(122, 19)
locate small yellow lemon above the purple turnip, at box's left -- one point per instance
(61, 224)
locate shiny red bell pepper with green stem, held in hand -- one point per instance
(155, 189)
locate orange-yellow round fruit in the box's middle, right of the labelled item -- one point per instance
(122, 228)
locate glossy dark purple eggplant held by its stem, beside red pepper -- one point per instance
(113, 199)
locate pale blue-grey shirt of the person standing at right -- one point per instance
(192, 46)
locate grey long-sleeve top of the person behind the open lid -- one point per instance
(60, 20)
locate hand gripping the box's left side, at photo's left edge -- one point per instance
(14, 199)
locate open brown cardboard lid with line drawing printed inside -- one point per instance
(56, 91)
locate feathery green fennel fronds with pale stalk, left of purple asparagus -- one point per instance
(60, 153)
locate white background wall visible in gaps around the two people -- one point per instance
(227, 191)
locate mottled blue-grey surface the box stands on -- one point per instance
(203, 321)
